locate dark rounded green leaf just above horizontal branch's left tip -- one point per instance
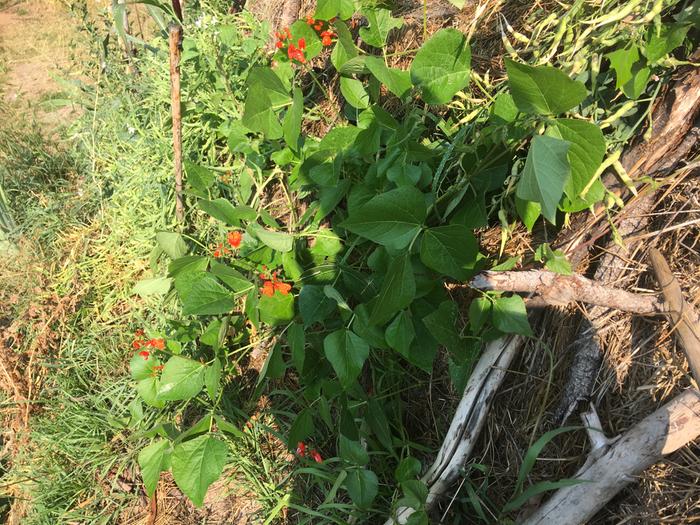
(450, 250)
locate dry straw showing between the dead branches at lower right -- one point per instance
(643, 368)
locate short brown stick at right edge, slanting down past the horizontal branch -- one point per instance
(684, 317)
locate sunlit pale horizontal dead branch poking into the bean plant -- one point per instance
(560, 290)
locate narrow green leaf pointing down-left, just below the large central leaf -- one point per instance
(397, 292)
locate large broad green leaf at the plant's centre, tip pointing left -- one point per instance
(392, 219)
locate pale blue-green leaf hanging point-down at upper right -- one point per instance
(545, 174)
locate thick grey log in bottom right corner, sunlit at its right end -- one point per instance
(669, 428)
